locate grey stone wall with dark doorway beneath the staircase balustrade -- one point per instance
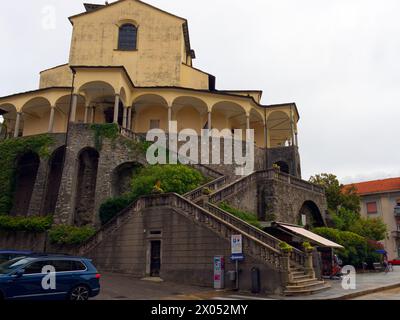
(187, 251)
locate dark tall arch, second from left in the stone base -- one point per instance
(54, 176)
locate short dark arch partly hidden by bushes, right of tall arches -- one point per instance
(122, 177)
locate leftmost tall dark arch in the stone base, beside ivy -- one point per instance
(26, 172)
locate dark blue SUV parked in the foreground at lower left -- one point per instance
(48, 277)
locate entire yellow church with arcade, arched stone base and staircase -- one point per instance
(131, 65)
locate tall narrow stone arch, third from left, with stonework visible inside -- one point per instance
(88, 162)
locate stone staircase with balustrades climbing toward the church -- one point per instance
(199, 206)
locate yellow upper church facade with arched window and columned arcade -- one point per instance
(132, 64)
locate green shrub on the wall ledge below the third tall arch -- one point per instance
(70, 235)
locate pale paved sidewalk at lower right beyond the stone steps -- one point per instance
(366, 283)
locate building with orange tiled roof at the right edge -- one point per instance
(381, 198)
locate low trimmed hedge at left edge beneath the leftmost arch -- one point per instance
(28, 224)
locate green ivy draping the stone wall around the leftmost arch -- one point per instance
(10, 150)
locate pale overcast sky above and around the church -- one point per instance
(339, 60)
